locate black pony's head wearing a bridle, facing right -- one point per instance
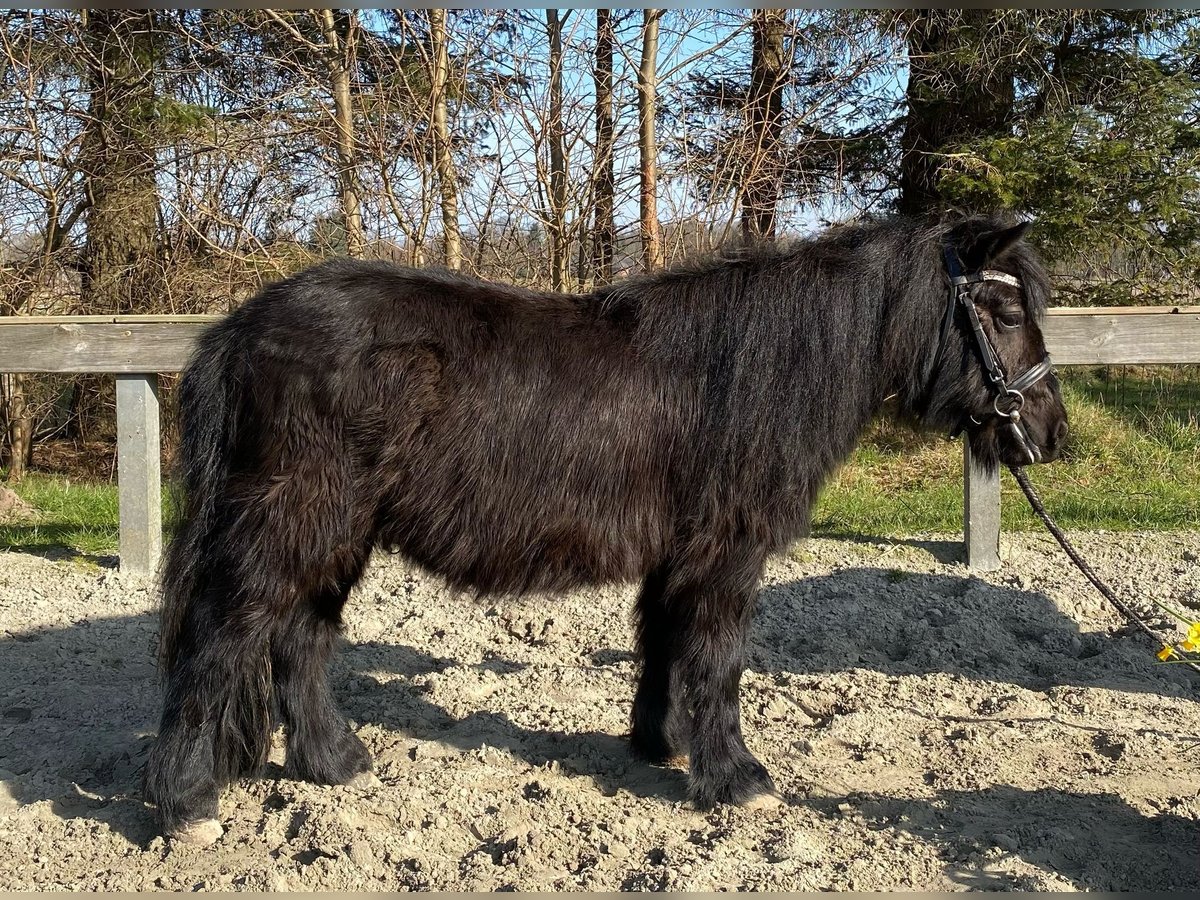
(991, 375)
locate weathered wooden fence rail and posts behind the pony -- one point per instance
(139, 349)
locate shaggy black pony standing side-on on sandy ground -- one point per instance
(671, 430)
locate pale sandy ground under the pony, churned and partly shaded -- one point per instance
(928, 729)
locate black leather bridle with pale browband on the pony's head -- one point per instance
(1009, 398)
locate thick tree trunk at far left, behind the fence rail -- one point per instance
(122, 269)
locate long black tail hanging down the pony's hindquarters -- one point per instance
(209, 401)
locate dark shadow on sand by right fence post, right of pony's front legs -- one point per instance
(898, 622)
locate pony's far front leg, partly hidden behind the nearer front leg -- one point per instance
(661, 724)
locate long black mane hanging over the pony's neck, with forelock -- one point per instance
(748, 325)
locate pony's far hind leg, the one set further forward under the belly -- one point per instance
(321, 746)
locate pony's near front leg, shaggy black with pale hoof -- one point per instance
(713, 609)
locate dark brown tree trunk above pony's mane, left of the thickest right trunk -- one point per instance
(769, 71)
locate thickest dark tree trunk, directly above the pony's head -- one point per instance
(961, 89)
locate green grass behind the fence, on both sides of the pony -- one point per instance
(1133, 463)
